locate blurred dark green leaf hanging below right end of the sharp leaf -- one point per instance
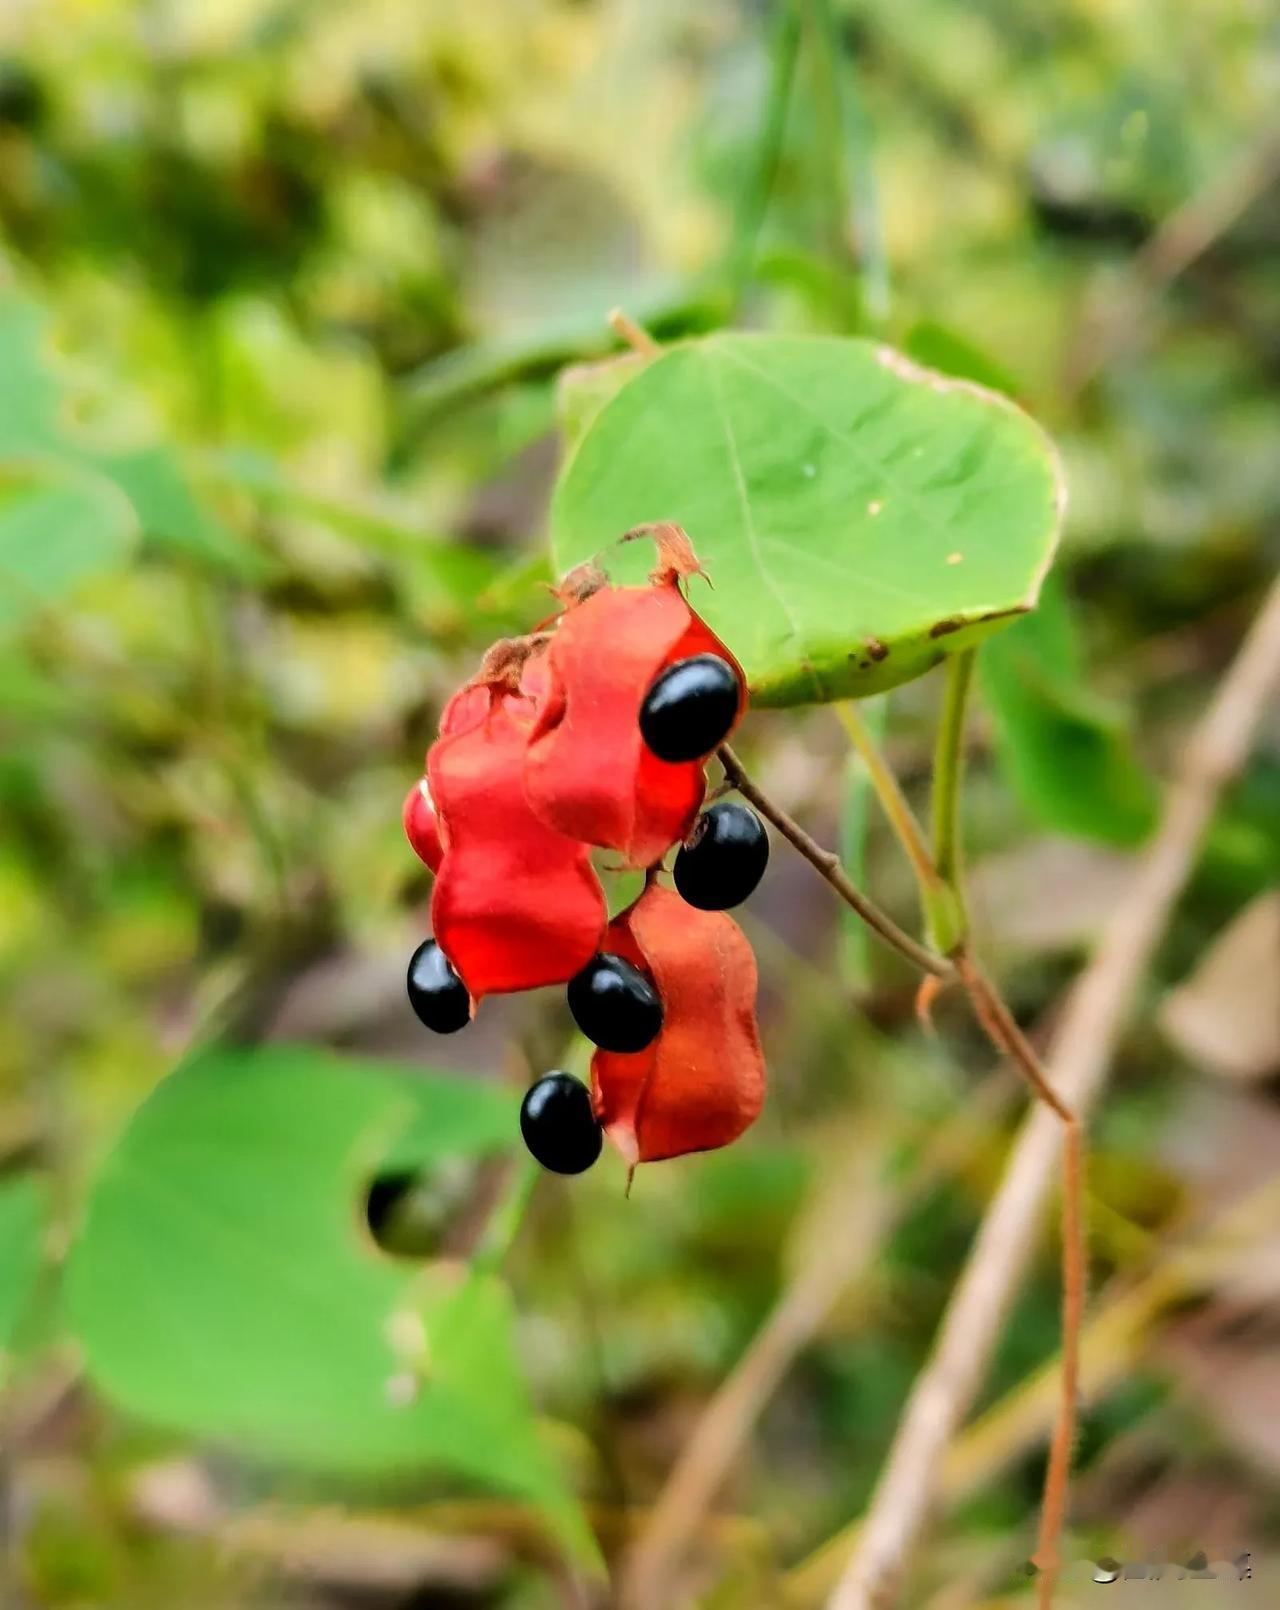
(1068, 754)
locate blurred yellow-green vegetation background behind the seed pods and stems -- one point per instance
(286, 287)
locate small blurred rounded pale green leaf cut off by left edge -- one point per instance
(56, 535)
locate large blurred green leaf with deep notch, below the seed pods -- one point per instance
(225, 1284)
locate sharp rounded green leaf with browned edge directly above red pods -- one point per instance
(861, 518)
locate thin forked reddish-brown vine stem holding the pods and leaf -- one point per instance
(943, 899)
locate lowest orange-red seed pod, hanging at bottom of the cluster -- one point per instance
(701, 1083)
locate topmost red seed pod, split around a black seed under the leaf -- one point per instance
(588, 770)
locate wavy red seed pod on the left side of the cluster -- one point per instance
(516, 904)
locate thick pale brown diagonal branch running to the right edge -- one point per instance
(1091, 1026)
